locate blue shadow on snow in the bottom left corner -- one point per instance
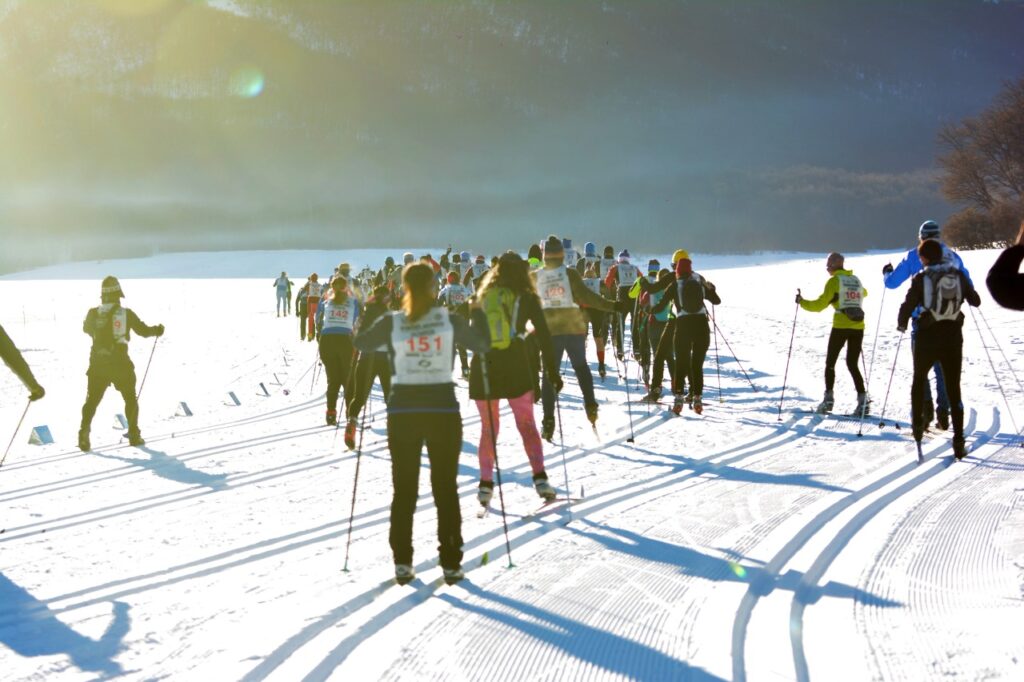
(37, 632)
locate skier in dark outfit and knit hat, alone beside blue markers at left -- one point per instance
(111, 327)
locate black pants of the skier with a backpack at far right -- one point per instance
(946, 348)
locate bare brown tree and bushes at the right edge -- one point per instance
(984, 173)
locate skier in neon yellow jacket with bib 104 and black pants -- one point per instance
(844, 293)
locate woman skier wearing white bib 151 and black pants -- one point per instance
(423, 409)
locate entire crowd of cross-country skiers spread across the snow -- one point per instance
(405, 325)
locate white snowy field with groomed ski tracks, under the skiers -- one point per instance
(732, 546)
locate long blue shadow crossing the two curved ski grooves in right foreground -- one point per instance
(692, 563)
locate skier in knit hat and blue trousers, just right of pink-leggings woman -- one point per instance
(562, 291)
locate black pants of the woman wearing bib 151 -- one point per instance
(407, 435)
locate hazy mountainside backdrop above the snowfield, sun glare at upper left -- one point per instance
(131, 127)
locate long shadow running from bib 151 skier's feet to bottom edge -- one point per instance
(607, 651)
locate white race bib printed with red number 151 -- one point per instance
(423, 350)
